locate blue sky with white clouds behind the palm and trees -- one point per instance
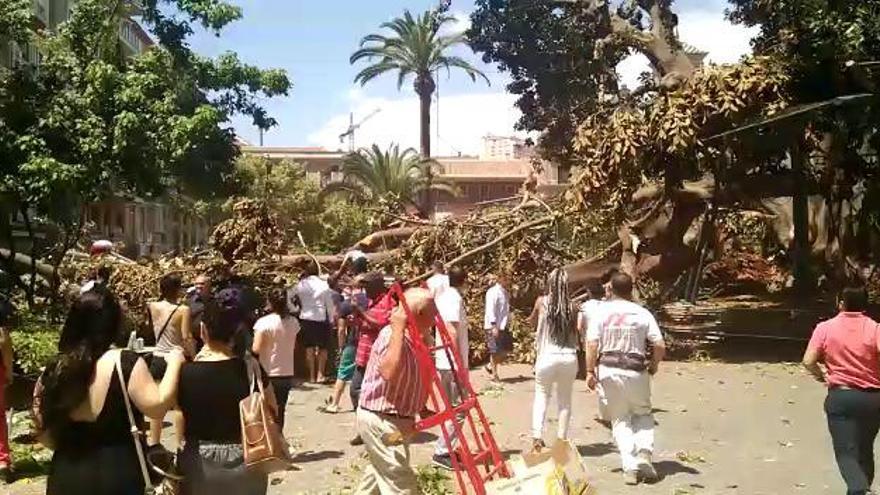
(313, 39)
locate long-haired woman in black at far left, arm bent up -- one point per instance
(81, 407)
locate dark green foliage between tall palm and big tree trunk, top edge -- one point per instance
(548, 53)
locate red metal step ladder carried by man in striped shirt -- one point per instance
(475, 458)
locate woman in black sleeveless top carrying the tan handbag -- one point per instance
(211, 388)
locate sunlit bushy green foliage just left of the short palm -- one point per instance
(328, 224)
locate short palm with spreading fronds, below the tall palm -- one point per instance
(371, 174)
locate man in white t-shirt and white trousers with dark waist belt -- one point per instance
(617, 357)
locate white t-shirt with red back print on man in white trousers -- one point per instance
(623, 326)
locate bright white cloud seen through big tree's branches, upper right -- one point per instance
(703, 29)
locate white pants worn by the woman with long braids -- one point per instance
(559, 370)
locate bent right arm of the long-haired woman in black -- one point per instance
(151, 399)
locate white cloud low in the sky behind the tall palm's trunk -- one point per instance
(464, 120)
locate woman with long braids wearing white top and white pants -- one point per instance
(556, 363)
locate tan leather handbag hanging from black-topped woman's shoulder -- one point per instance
(265, 449)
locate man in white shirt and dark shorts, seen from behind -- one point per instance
(316, 312)
